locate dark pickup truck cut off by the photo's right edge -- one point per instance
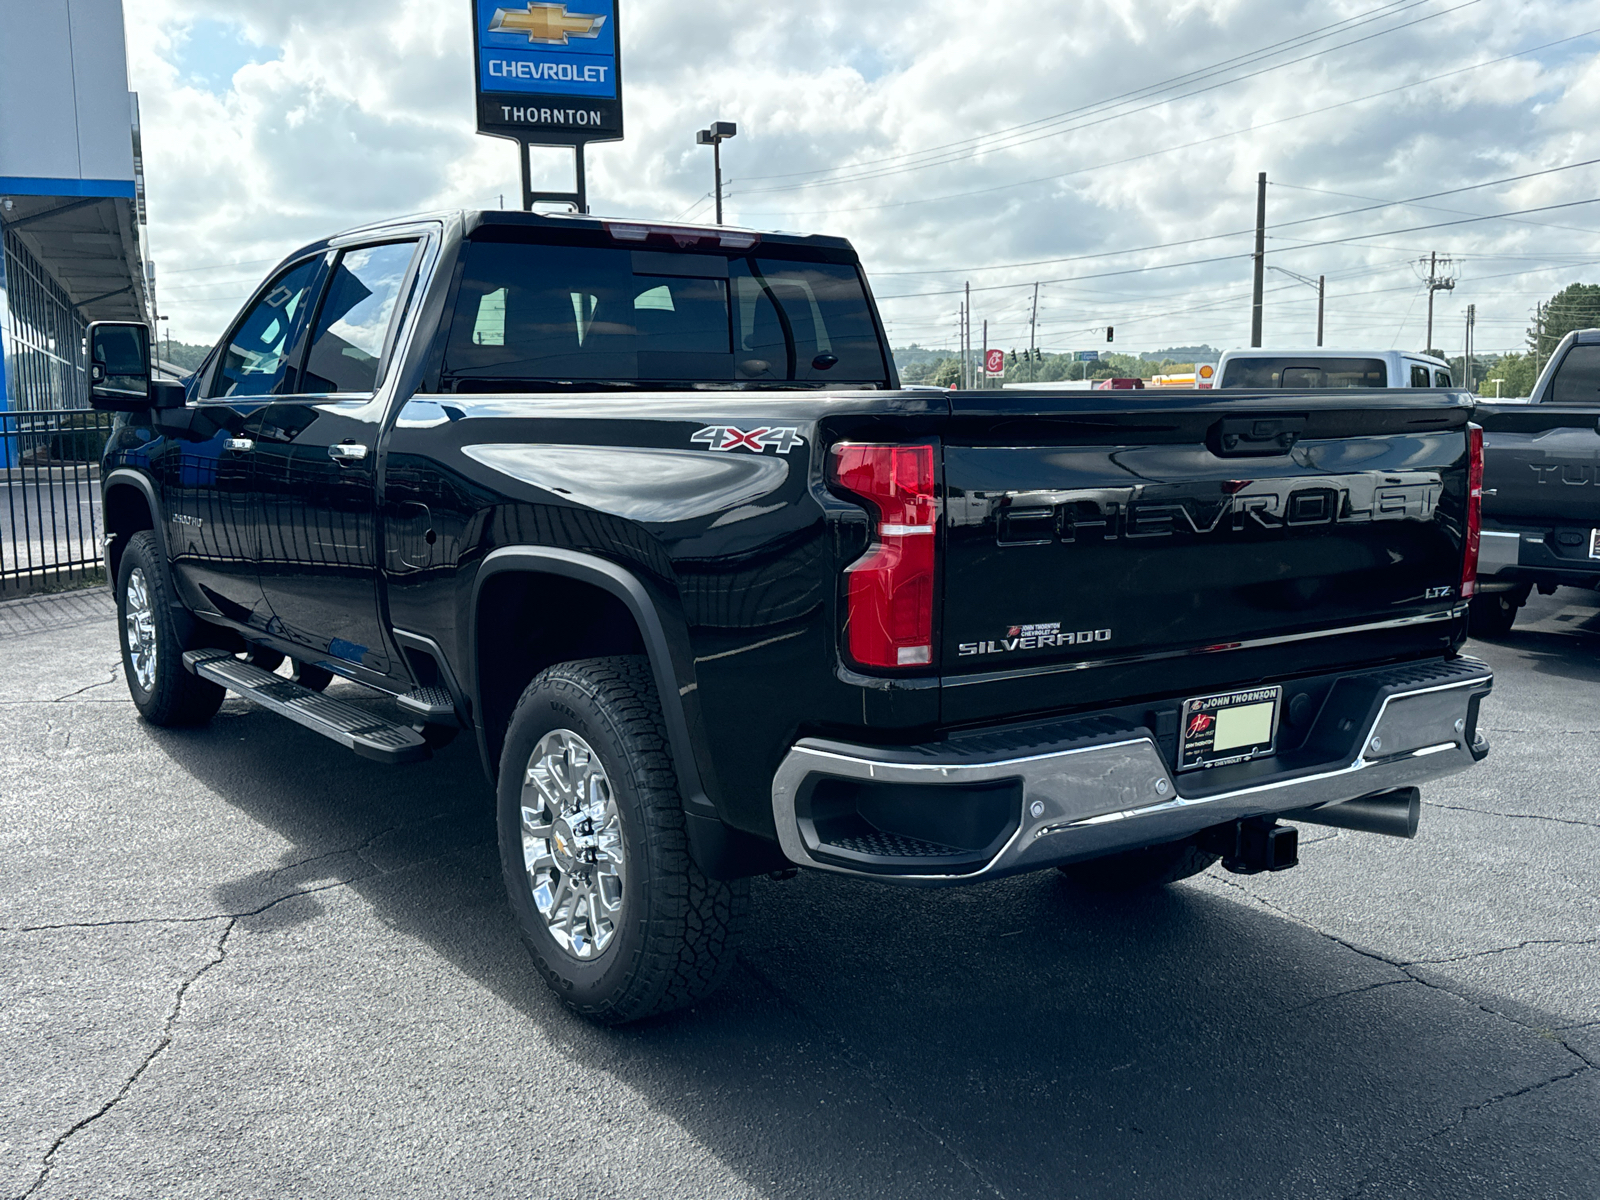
(1542, 487)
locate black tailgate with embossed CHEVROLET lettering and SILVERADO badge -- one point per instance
(1092, 548)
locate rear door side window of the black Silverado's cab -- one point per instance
(353, 327)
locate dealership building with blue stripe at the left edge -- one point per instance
(71, 196)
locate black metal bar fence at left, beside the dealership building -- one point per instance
(50, 503)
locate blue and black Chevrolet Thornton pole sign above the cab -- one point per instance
(550, 74)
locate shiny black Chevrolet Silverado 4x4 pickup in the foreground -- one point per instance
(646, 511)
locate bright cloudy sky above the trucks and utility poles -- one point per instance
(1108, 151)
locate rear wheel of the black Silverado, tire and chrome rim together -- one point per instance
(617, 916)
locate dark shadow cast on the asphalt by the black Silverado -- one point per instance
(1012, 1039)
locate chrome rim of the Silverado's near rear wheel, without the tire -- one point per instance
(572, 844)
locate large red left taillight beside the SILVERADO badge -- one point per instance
(890, 588)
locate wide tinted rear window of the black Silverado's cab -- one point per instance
(574, 316)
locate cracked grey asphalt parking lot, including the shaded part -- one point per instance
(239, 962)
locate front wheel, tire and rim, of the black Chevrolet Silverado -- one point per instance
(154, 639)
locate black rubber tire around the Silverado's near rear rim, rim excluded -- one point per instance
(678, 930)
